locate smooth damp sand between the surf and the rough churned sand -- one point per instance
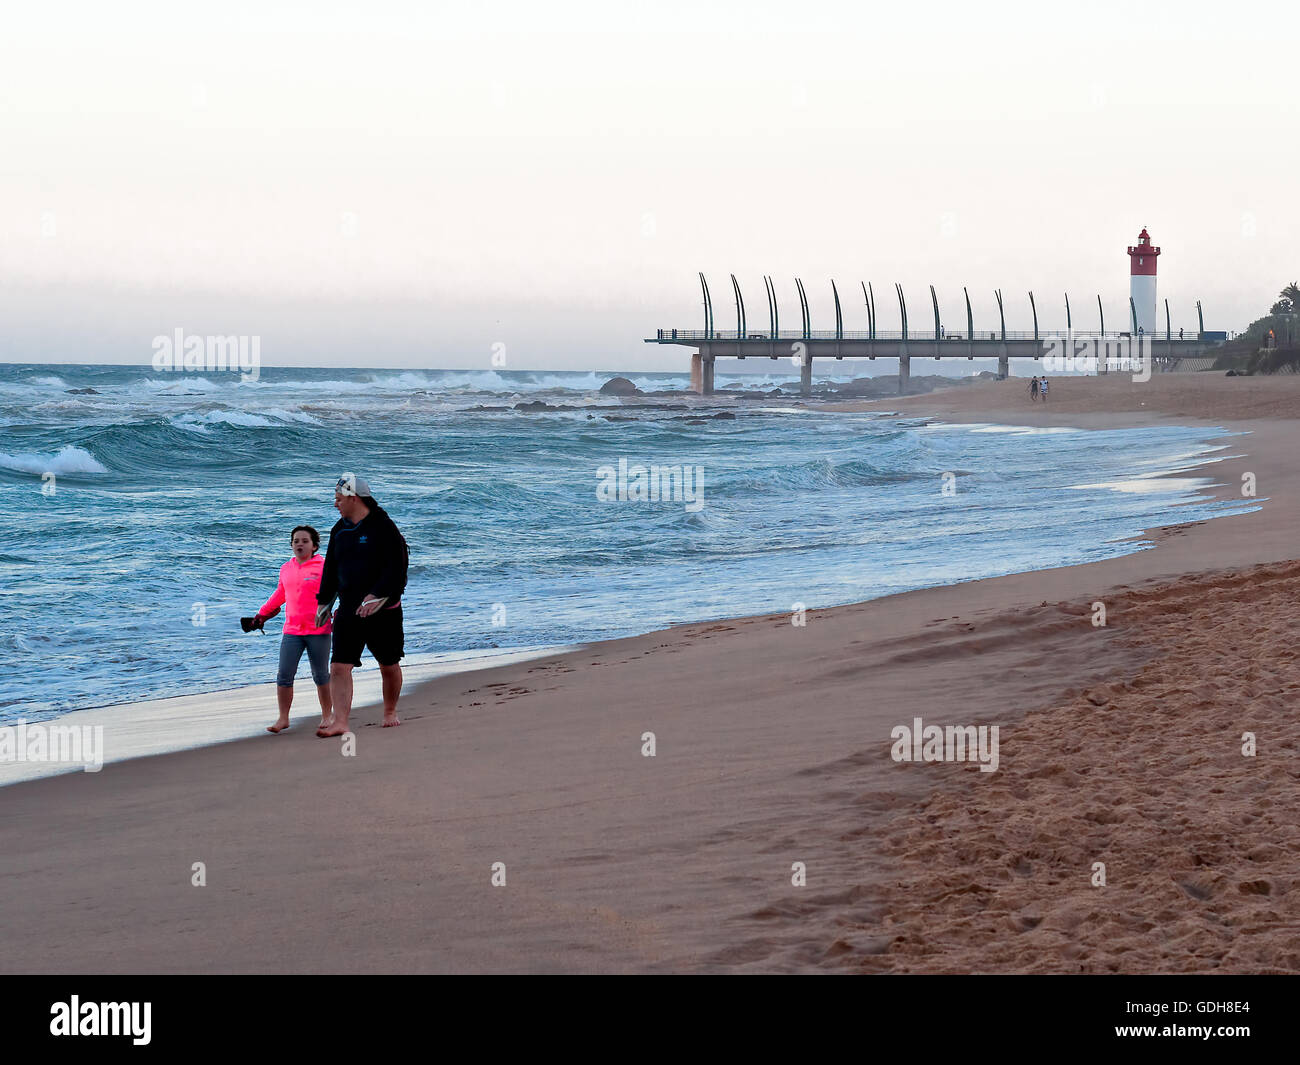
(618, 861)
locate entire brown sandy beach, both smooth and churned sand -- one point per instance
(1120, 744)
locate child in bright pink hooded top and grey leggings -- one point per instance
(300, 582)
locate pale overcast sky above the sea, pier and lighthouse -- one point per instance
(391, 184)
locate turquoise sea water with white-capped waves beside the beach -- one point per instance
(138, 522)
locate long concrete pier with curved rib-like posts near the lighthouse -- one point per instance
(1168, 352)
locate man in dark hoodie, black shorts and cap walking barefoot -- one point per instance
(366, 568)
